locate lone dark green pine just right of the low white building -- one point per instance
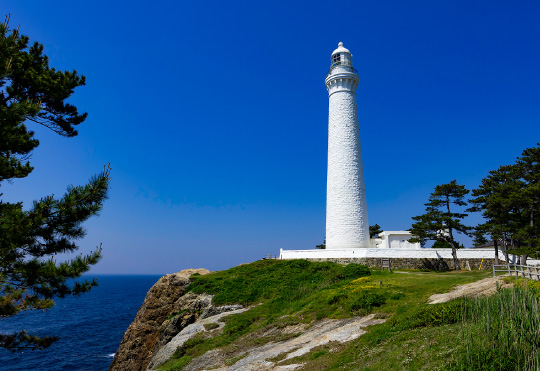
(440, 223)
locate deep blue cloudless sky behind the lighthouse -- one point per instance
(213, 115)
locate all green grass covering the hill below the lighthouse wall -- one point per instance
(499, 332)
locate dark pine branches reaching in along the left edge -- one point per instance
(31, 92)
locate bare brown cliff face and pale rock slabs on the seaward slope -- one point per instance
(169, 317)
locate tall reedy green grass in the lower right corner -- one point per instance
(501, 332)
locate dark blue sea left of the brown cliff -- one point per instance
(90, 327)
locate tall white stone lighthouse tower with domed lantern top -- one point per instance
(346, 210)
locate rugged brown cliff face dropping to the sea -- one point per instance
(152, 328)
